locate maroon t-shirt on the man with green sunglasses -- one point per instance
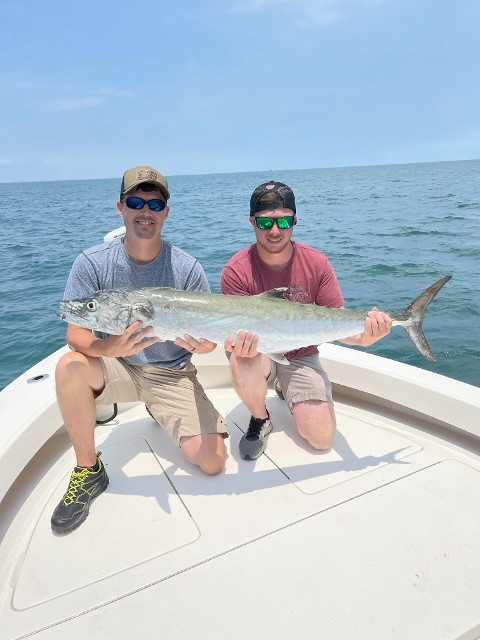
(309, 275)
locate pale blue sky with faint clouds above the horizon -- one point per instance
(91, 88)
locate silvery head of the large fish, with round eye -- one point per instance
(107, 311)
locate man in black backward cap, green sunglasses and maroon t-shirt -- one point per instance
(277, 261)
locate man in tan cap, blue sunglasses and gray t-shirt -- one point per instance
(102, 369)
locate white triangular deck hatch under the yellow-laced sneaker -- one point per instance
(145, 527)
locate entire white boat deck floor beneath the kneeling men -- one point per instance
(383, 524)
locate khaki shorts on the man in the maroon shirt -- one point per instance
(302, 379)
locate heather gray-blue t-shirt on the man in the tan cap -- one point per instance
(108, 266)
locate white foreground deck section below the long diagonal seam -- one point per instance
(399, 561)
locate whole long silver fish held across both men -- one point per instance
(280, 324)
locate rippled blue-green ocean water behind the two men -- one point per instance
(389, 231)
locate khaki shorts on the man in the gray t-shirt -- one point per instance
(174, 397)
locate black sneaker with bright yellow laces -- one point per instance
(85, 485)
